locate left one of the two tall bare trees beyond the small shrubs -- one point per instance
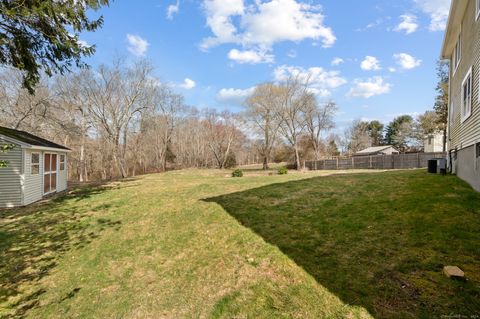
(262, 111)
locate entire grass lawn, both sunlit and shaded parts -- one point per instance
(198, 244)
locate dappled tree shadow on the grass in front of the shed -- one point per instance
(33, 238)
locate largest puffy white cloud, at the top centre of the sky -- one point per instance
(258, 23)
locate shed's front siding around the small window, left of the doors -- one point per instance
(33, 188)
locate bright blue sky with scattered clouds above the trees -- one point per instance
(376, 59)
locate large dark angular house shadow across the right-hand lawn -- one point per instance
(376, 240)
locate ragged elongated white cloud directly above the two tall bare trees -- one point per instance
(320, 81)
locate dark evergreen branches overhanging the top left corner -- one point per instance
(43, 35)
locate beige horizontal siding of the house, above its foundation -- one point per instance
(462, 135)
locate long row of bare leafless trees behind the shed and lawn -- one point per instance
(121, 121)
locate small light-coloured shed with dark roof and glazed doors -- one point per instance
(36, 168)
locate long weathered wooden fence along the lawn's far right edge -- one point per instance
(395, 161)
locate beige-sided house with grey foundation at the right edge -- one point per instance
(462, 47)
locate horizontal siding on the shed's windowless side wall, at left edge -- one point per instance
(11, 177)
